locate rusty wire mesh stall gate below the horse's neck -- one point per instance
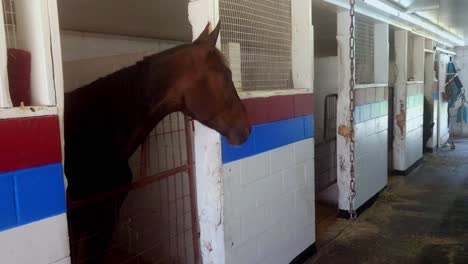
(155, 216)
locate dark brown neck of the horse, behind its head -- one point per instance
(117, 105)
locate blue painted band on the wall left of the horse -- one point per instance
(30, 195)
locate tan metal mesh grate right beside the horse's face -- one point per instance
(256, 39)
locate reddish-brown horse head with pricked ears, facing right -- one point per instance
(211, 97)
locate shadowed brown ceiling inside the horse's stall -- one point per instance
(163, 19)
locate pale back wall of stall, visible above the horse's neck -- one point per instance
(87, 56)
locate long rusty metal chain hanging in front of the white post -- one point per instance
(352, 82)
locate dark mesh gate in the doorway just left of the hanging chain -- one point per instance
(325, 151)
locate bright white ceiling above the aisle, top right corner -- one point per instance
(452, 15)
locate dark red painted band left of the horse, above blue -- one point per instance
(29, 142)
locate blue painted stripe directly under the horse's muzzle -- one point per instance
(268, 136)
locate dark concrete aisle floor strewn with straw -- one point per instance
(420, 218)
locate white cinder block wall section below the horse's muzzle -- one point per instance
(269, 205)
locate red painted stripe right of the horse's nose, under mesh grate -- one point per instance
(276, 108)
